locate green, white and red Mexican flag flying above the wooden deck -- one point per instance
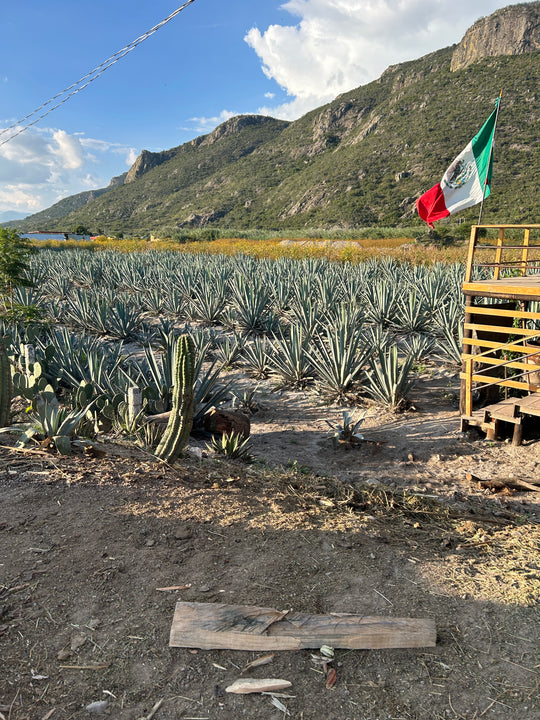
(467, 180)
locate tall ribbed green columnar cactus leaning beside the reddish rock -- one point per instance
(181, 418)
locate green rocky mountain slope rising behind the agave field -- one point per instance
(363, 159)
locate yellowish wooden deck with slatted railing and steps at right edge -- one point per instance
(501, 340)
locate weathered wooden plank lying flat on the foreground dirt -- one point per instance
(215, 626)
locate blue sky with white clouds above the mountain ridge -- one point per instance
(216, 59)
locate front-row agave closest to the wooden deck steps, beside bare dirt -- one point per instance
(387, 380)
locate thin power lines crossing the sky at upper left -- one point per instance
(76, 87)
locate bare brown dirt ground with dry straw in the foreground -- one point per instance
(391, 528)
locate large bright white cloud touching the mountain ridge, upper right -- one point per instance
(340, 44)
